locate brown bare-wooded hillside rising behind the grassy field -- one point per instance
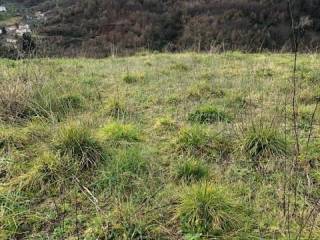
(100, 27)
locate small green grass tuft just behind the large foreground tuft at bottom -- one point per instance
(190, 170)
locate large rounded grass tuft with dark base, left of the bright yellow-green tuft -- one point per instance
(78, 142)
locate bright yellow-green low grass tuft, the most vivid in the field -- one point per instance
(119, 133)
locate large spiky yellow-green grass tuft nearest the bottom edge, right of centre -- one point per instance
(210, 210)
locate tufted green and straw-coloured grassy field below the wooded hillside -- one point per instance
(159, 146)
